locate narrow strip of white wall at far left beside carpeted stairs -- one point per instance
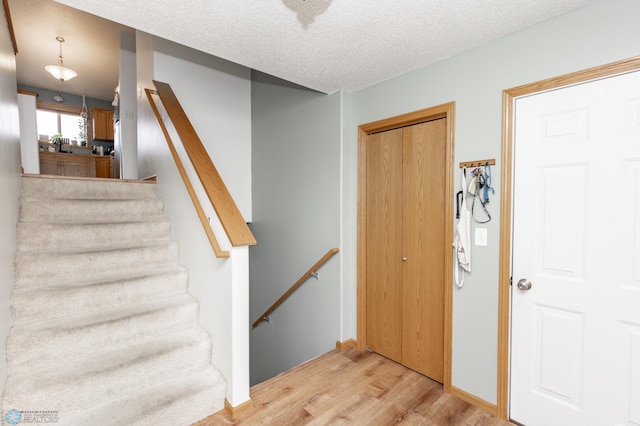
(10, 178)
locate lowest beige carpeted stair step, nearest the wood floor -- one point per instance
(180, 401)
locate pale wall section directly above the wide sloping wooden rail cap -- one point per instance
(216, 96)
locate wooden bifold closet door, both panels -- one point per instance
(405, 236)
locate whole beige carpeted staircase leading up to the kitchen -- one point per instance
(103, 329)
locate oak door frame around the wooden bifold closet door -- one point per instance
(441, 111)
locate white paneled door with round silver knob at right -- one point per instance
(575, 335)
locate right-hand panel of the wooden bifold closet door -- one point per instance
(423, 242)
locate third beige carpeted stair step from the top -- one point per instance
(52, 236)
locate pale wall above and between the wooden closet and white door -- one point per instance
(599, 33)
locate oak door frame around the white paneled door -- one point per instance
(506, 203)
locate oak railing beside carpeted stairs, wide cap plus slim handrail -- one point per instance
(225, 207)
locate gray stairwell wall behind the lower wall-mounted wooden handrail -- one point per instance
(296, 220)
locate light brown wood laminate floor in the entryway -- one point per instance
(351, 387)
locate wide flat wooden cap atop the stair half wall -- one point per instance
(232, 221)
